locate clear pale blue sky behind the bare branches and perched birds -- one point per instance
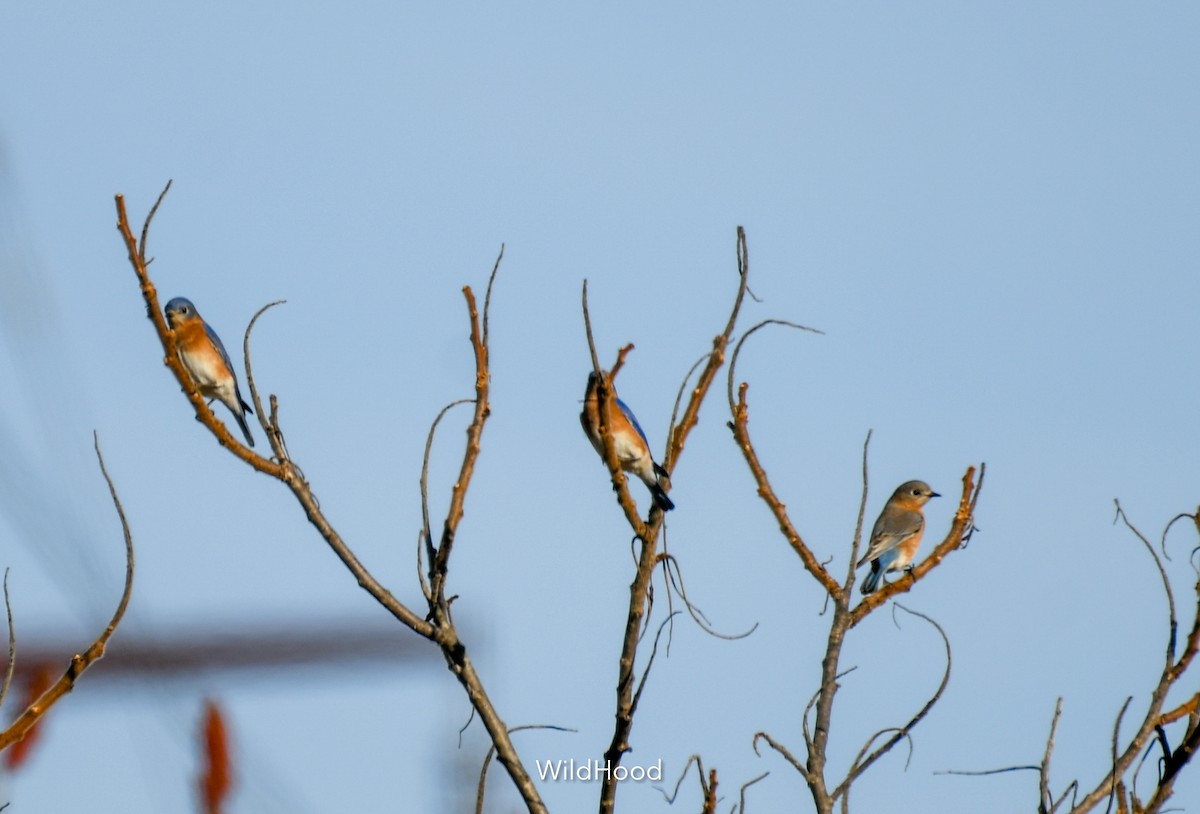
(992, 213)
